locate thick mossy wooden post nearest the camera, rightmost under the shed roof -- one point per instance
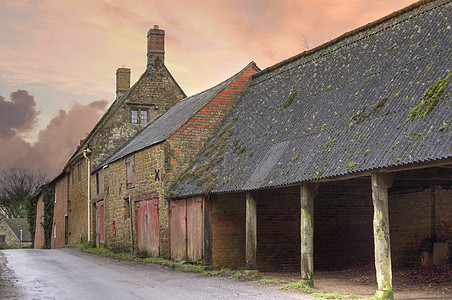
(380, 184)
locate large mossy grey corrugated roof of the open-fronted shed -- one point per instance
(344, 107)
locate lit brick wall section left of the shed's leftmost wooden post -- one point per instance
(228, 230)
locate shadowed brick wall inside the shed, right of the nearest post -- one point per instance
(411, 222)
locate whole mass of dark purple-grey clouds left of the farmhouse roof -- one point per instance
(56, 143)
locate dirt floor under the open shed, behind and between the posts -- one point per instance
(409, 282)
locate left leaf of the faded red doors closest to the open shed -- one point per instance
(178, 230)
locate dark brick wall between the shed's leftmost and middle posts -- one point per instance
(278, 229)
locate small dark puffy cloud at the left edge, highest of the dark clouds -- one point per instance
(17, 115)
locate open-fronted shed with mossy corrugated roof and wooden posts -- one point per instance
(352, 140)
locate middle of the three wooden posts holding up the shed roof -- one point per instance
(308, 191)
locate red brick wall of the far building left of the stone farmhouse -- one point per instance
(60, 209)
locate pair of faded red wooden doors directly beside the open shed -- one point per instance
(187, 229)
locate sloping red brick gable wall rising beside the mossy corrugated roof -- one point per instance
(186, 142)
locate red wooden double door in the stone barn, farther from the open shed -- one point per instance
(148, 229)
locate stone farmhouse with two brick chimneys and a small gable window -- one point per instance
(150, 97)
